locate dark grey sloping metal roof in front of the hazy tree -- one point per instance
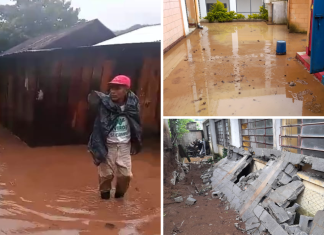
(83, 34)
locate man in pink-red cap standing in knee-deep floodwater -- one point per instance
(116, 135)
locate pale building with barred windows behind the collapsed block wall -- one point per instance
(300, 136)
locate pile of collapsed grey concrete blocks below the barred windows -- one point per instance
(265, 199)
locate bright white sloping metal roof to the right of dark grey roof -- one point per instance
(146, 34)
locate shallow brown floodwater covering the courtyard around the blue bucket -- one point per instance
(232, 69)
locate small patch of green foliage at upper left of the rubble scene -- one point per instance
(177, 129)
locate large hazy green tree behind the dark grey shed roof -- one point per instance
(31, 18)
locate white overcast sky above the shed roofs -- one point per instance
(118, 14)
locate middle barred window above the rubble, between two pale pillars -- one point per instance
(257, 133)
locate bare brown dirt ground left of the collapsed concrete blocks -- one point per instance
(206, 216)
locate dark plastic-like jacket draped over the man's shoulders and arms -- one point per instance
(106, 119)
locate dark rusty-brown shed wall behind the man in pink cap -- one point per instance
(66, 76)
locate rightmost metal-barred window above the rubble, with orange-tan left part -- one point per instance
(304, 136)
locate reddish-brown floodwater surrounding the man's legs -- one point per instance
(55, 191)
